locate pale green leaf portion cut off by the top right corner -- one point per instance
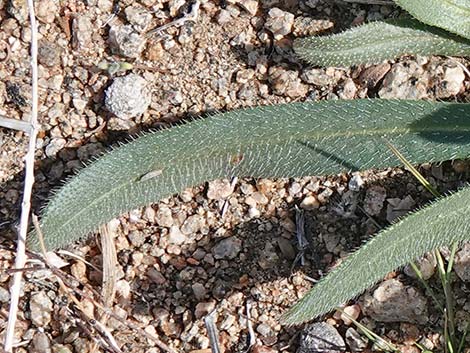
(452, 15)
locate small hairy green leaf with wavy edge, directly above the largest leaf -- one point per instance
(378, 41)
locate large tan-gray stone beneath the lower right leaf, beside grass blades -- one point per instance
(394, 302)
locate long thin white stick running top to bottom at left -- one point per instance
(28, 185)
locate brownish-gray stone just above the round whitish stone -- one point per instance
(125, 41)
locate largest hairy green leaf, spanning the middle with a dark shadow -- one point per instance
(274, 141)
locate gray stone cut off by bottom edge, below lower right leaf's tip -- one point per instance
(320, 337)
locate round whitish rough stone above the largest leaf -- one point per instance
(128, 96)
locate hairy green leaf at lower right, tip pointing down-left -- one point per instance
(441, 223)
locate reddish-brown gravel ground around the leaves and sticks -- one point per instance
(222, 246)
